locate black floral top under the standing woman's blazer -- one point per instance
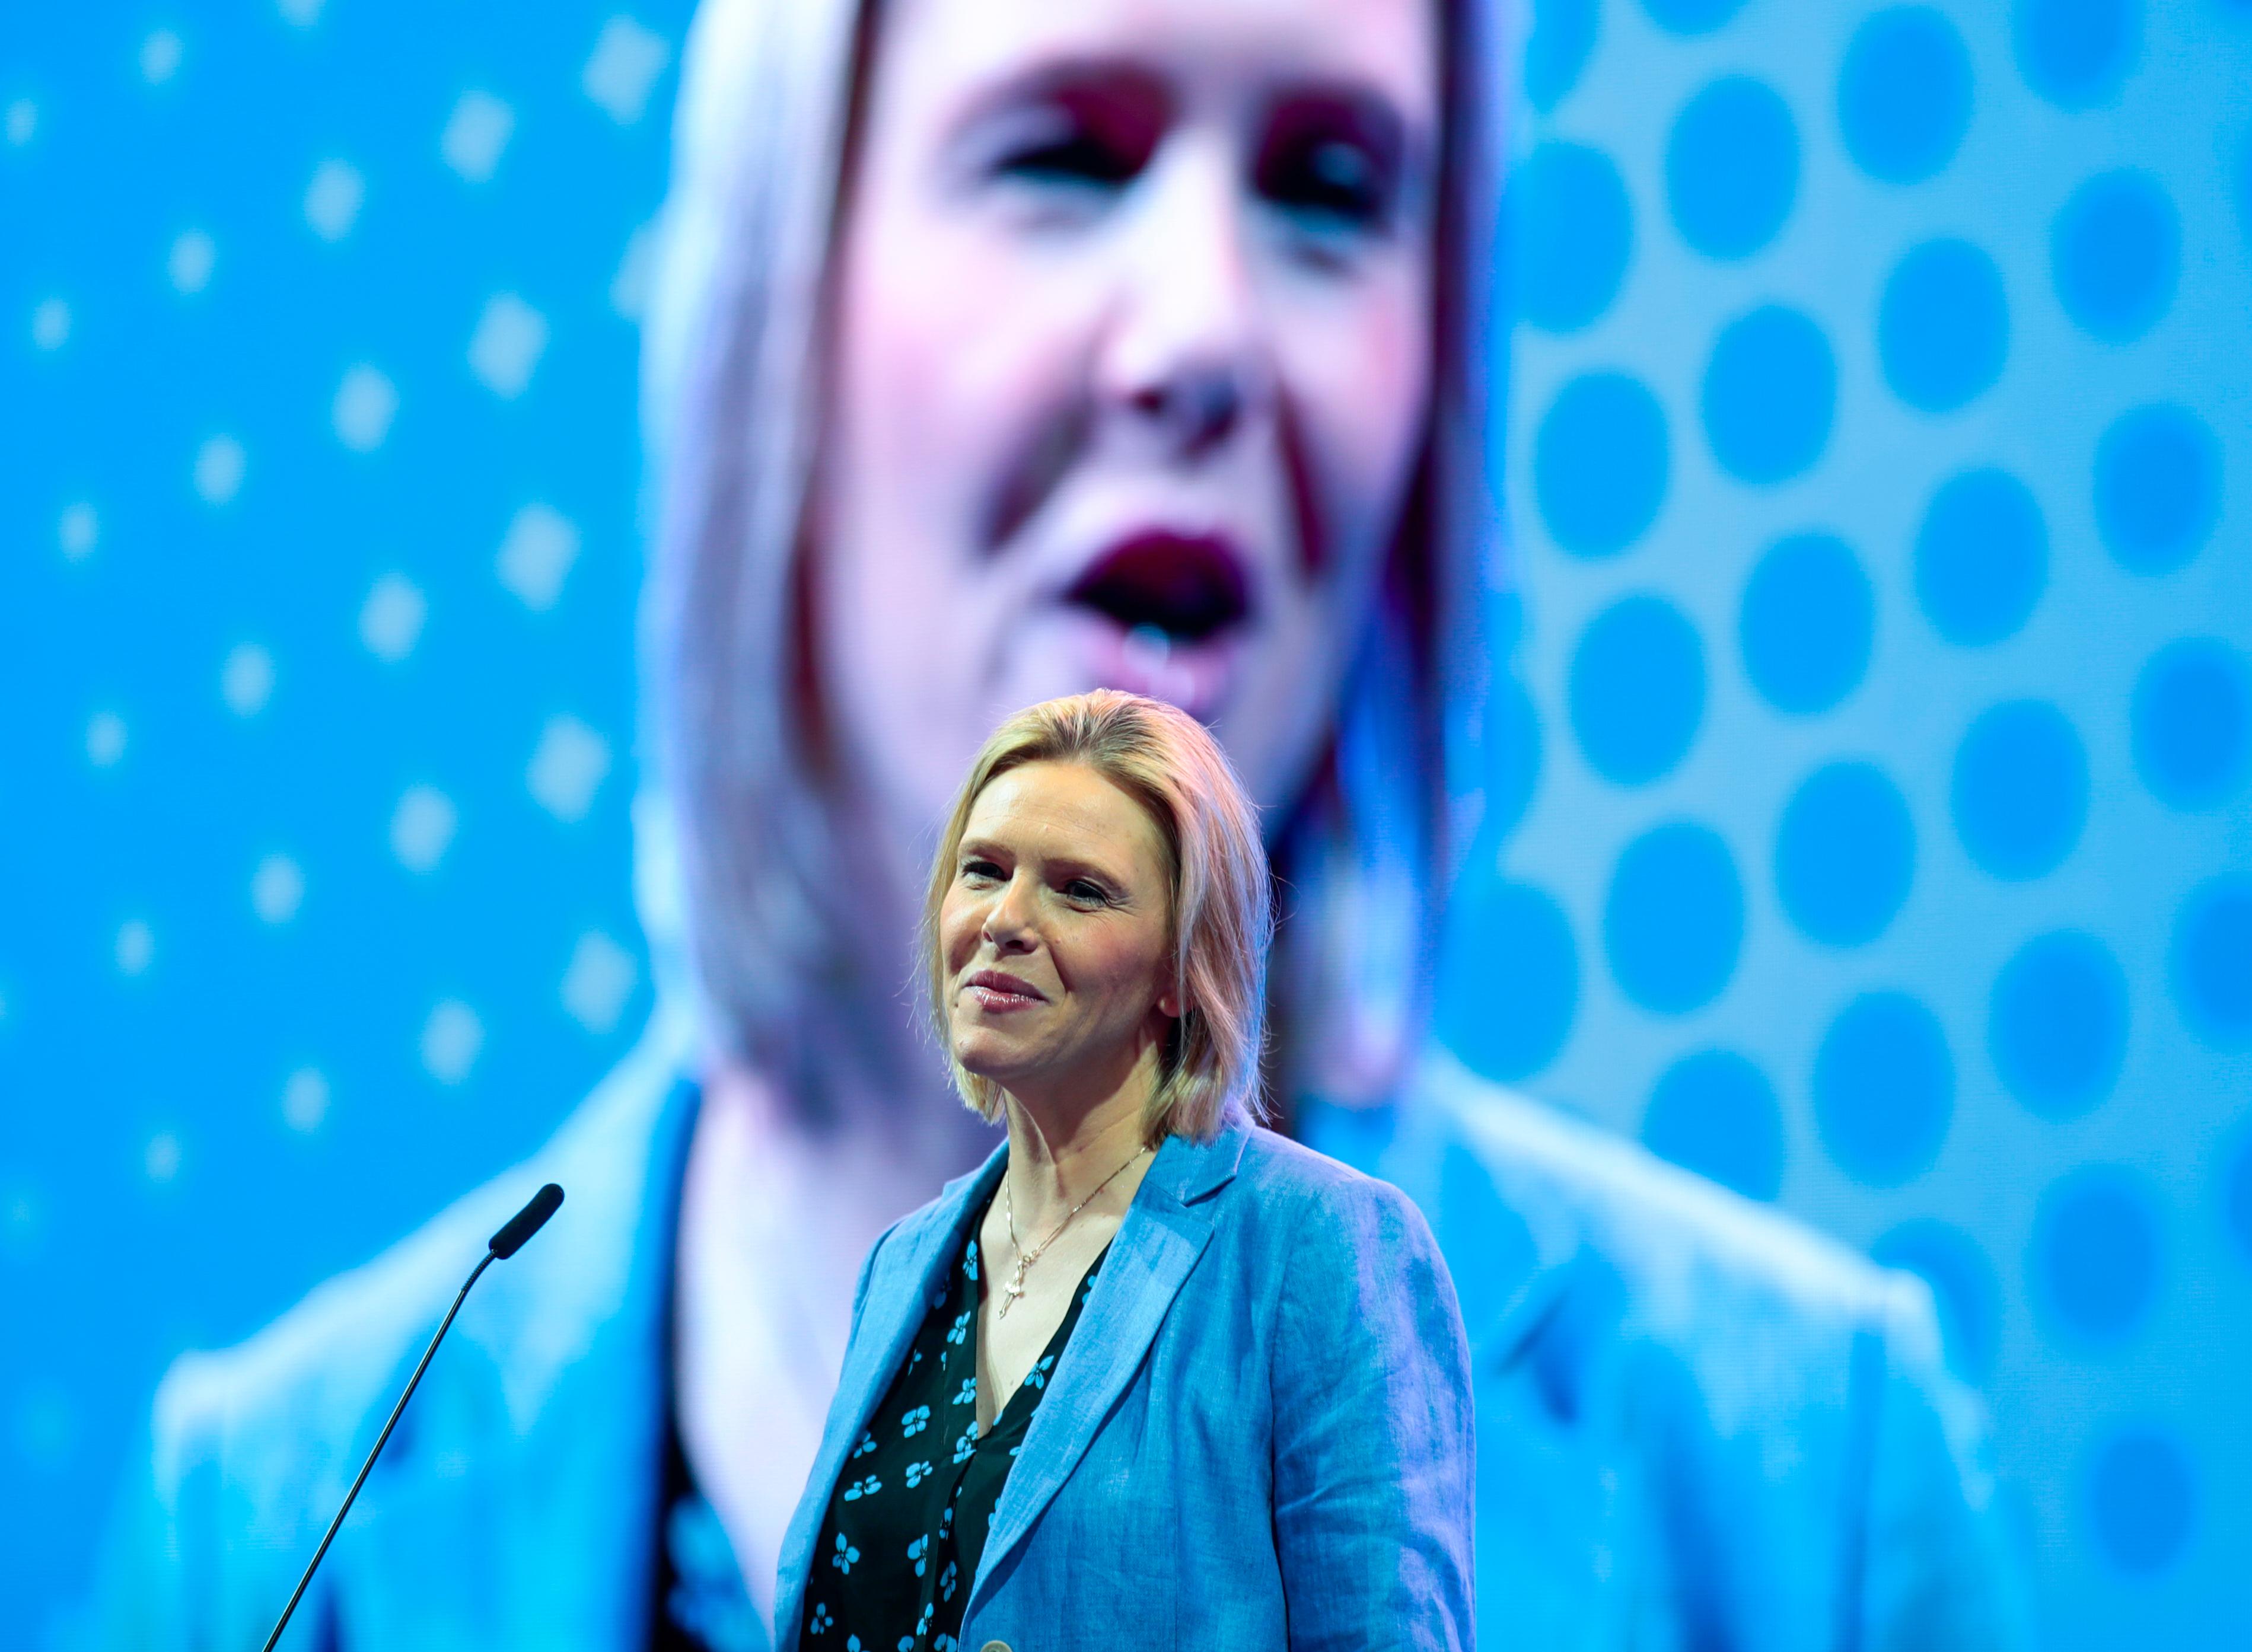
(911, 1511)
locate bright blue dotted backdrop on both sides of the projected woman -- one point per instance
(1866, 784)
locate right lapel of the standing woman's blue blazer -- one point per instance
(1156, 1248)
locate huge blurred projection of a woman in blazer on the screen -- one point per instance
(1006, 350)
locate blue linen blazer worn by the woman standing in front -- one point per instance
(1258, 1437)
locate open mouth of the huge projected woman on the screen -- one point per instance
(1172, 611)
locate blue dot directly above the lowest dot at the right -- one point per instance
(2095, 1259)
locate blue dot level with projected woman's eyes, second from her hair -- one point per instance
(1733, 168)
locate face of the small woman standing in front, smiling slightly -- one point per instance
(1055, 935)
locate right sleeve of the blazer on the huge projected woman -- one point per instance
(1936, 1568)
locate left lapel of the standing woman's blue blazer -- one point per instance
(900, 1293)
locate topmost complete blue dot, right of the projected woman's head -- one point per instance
(1904, 96)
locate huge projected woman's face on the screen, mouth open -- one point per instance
(1129, 370)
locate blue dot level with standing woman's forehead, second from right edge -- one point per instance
(2021, 791)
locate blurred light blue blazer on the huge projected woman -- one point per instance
(1699, 1424)
